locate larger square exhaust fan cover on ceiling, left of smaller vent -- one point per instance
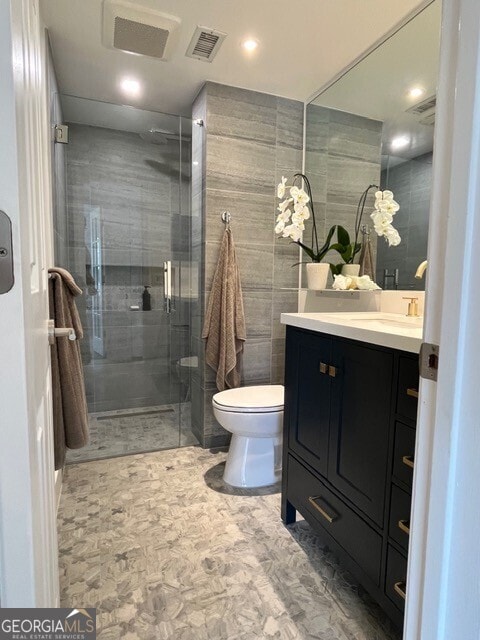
(137, 30)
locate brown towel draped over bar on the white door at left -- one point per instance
(70, 416)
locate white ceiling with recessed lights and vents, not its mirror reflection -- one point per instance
(299, 50)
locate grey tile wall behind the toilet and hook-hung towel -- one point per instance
(248, 142)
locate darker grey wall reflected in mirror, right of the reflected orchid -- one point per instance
(411, 183)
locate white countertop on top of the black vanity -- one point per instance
(384, 329)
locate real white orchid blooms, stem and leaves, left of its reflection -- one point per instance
(294, 209)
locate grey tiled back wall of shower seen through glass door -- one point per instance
(115, 180)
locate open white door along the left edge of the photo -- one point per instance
(28, 544)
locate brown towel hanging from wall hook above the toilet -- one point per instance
(224, 326)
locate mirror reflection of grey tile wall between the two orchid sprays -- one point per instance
(342, 157)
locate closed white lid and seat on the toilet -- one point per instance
(258, 399)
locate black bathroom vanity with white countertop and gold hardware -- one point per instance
(351, 388)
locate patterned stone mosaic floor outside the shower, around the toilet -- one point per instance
(165, 550)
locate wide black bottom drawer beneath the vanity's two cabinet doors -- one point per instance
(322, 508)
